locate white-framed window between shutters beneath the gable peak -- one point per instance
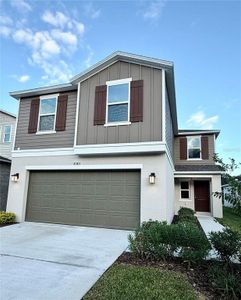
(118, 102)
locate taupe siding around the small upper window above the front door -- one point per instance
(210, 161)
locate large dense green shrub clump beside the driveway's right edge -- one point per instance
(157, 240)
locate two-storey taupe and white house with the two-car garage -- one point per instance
(105, 150)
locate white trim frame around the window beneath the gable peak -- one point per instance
(117, 82)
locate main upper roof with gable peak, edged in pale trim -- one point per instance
(168, 66)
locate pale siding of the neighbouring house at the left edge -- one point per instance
(6, 148)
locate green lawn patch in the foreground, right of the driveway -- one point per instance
(127, 282)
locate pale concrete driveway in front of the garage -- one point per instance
(47, 261)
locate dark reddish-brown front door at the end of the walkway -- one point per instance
(202, 195)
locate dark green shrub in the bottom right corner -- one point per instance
(226, 281)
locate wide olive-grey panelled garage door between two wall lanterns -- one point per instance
(108, 199)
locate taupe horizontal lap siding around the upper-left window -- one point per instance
(60, 139)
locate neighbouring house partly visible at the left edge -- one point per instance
(7, 130)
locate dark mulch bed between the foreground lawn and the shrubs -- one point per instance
(197, 275)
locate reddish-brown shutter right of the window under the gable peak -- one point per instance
(136, 109)
